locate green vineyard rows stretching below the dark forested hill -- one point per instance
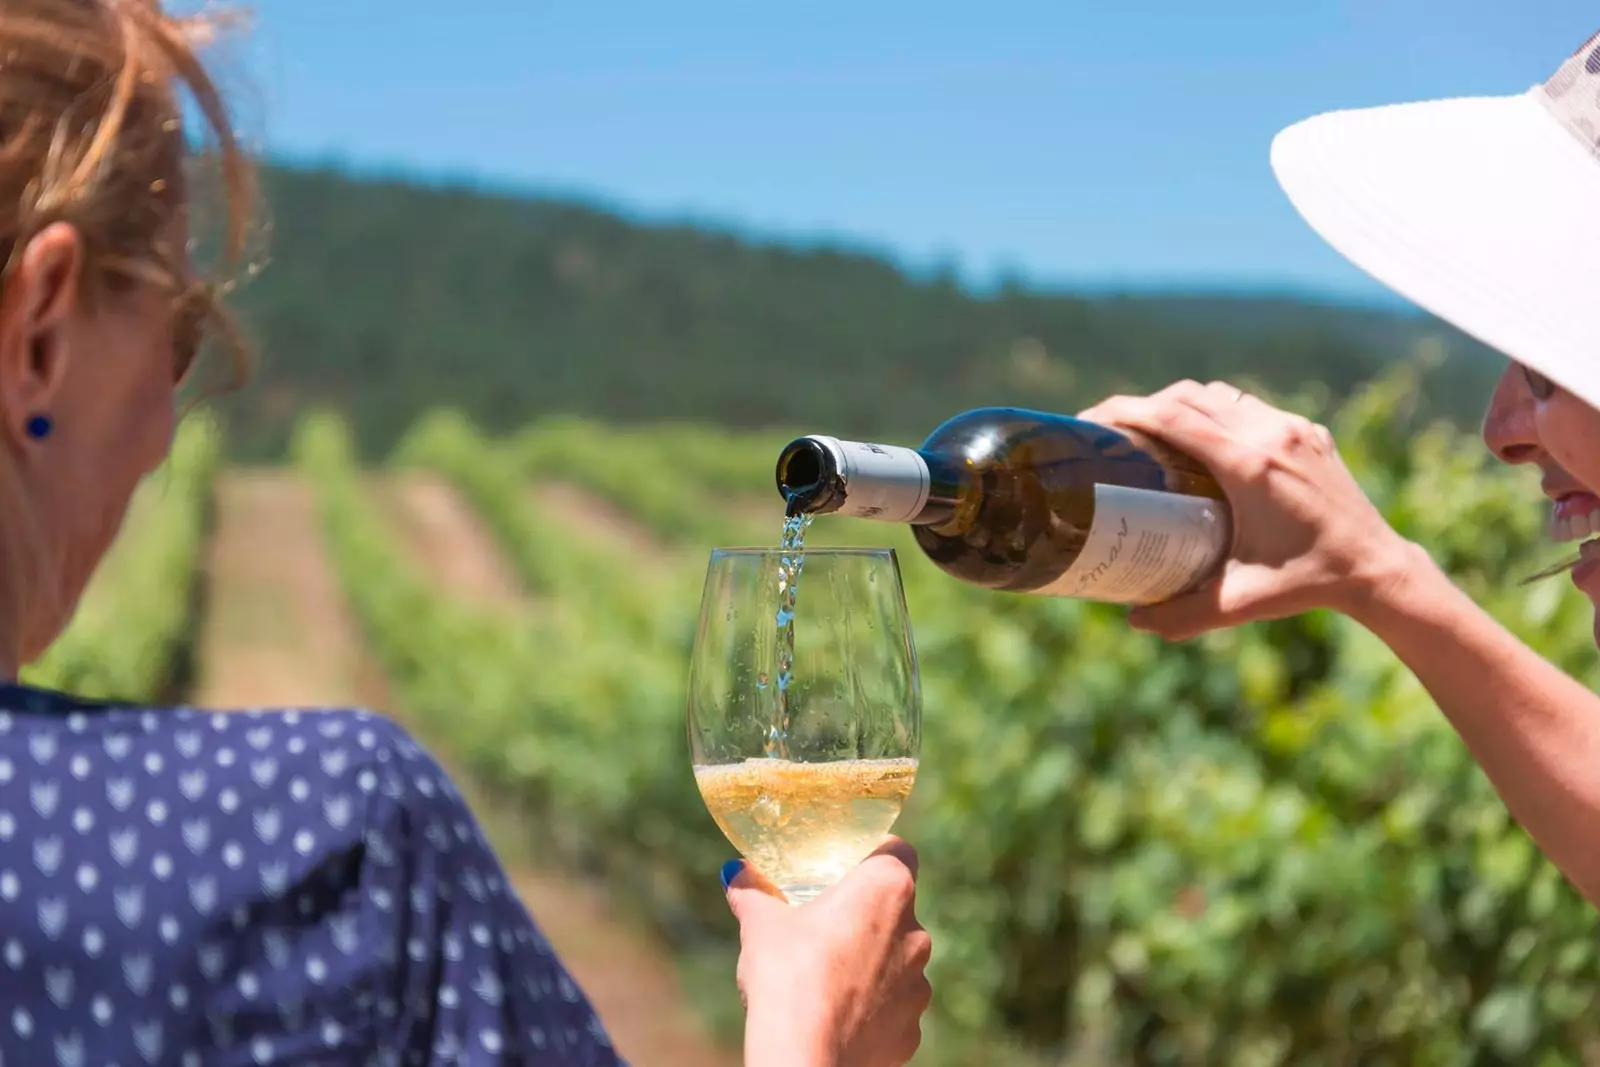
(1263, 847)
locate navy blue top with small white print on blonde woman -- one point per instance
(202, 890)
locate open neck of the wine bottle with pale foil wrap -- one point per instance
(863, 481)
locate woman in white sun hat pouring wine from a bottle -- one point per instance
(1487, 214)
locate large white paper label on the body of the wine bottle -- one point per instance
(1145, 546)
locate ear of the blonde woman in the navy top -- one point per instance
(38, 305)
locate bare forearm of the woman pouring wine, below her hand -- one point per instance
(1532, 729)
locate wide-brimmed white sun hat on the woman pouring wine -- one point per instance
(1482, 210)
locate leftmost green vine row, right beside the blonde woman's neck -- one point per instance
(130, 636)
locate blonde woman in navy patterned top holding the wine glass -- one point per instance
(186, 889)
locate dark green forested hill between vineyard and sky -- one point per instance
(388, 300)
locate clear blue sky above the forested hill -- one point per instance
(1113, 143)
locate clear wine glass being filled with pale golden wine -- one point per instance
(804, 708)
